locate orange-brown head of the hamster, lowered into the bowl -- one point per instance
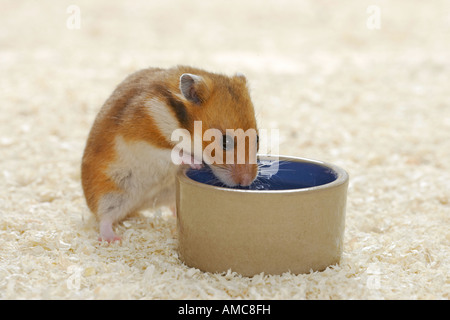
(224, 115)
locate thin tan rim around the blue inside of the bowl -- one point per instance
(342, 178)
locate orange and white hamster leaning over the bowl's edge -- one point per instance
(127, 164)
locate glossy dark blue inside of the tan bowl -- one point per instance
(275, 175)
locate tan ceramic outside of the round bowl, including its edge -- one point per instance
(252, 231)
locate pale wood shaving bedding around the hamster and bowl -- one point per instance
(374, 102)
